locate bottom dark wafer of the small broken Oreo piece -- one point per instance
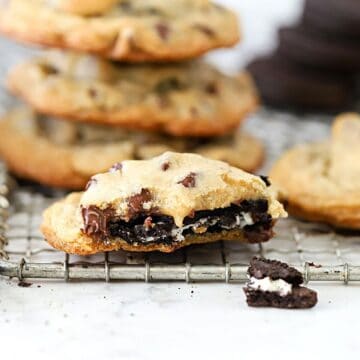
(300, 298)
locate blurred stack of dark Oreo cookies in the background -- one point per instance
(317, 61)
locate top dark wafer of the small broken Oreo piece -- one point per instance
(261, 268)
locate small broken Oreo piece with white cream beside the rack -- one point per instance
(275, 284)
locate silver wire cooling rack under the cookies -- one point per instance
(316, 250)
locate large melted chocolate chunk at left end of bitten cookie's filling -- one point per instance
(96, 220)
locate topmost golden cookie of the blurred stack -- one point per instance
(129, 30)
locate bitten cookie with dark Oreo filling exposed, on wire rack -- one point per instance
(164, 203)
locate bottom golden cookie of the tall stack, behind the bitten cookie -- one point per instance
(66, 154)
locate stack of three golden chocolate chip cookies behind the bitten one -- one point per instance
(133, 92)
